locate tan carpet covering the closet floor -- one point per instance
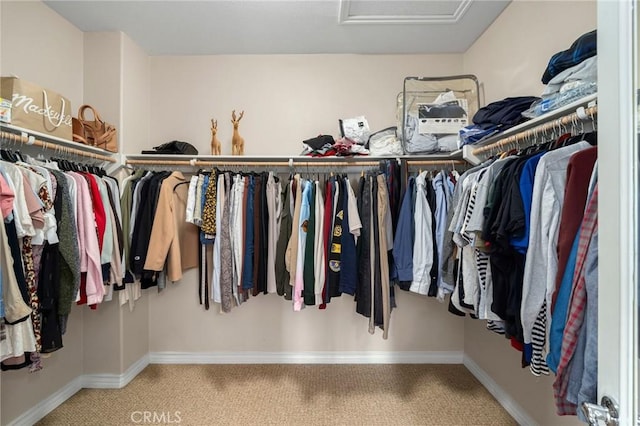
(199, 395)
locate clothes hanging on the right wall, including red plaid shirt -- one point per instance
(524, 216)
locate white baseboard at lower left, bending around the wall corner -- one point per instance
(104, 381)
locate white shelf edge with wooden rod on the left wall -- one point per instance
(31, 137)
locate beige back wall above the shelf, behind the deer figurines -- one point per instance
(286, 98)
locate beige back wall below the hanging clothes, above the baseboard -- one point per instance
(267, 323)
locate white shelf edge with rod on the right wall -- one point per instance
(583, 109)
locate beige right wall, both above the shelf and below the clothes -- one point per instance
(509, 59)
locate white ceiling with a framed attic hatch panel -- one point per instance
(180, 27)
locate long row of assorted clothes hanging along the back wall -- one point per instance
(308, 240)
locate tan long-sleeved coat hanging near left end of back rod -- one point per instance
(173, 240)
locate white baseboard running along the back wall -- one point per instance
(362, 357)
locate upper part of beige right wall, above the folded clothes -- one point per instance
(512, 54)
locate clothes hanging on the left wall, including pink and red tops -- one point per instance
(59, 236)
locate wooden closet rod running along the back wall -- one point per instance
(199, 163)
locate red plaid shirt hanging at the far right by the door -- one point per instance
(575, 316)
